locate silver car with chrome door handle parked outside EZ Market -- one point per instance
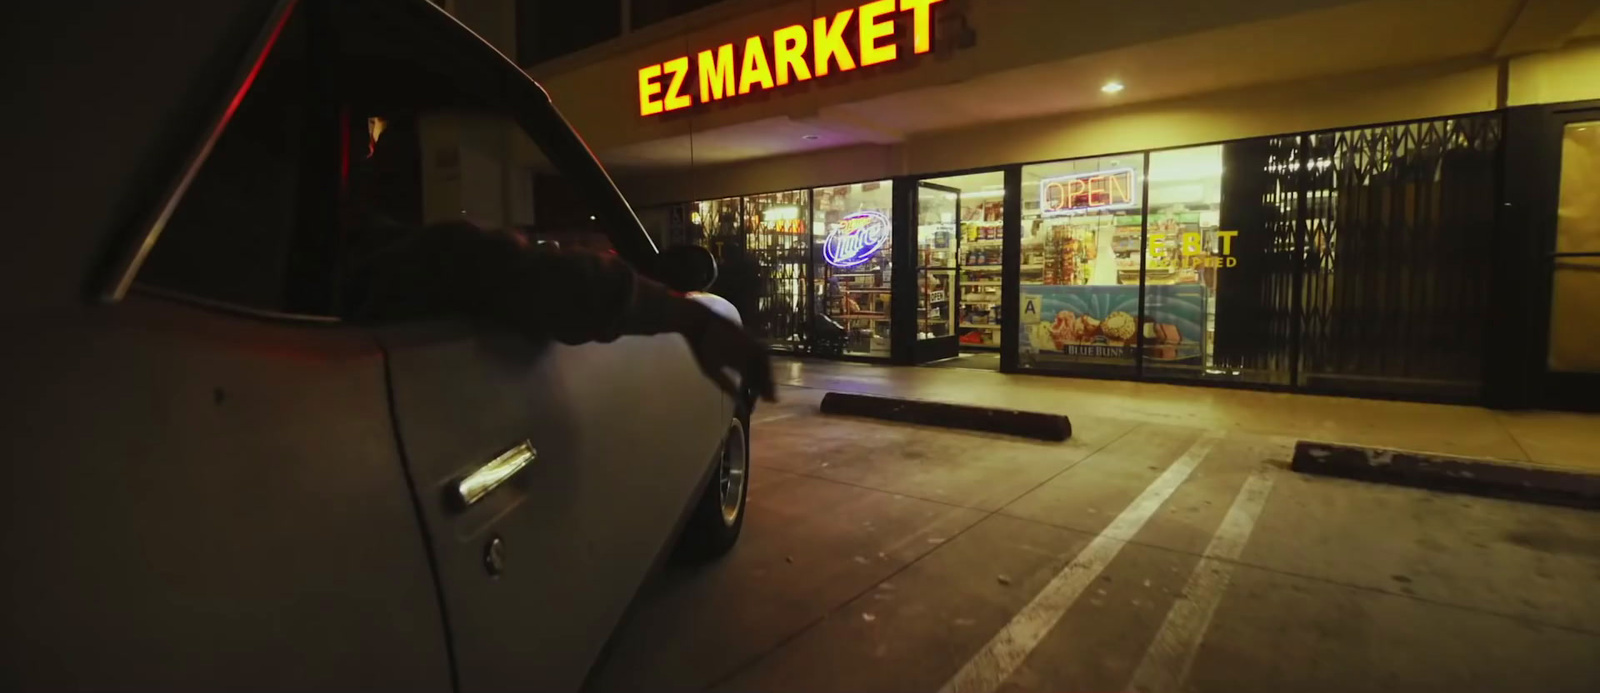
(215, 481)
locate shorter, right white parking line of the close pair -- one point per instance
(1166, 665)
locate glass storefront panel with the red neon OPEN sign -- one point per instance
(1081, 265)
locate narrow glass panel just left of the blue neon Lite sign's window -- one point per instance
(775, 258)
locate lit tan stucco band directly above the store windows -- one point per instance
(1353, 100)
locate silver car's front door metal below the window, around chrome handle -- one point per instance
(540, 571)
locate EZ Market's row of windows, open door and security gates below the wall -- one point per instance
(1348, 262)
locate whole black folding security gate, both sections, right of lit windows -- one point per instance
(1370, 274)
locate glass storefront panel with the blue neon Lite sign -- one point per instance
(852, 238)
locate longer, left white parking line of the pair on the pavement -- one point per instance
(1010, 647)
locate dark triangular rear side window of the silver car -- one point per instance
(233, 236)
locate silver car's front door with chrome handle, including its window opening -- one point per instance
(551, 478)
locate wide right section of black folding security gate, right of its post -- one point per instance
(1396, 241)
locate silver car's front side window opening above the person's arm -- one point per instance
(425, 154)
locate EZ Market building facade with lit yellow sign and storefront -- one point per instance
(1383, 198)
